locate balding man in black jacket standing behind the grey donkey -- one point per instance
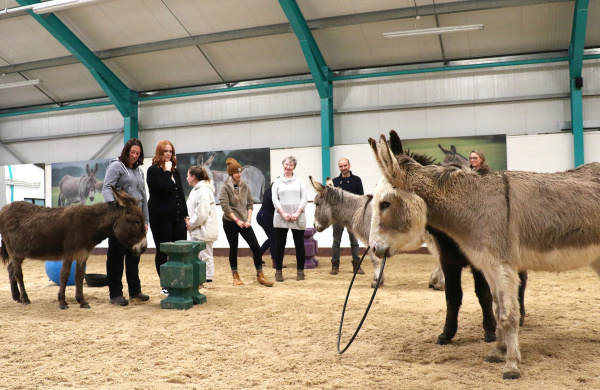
(351, 183)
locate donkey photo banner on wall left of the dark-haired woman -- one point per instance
(78, 182)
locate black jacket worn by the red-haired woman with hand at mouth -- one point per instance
(167, 200)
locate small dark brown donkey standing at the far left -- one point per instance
(68, 234)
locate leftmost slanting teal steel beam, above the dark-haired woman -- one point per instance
(124, 99)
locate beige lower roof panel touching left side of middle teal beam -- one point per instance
(247, 59)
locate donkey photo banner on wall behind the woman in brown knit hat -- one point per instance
(256, 168)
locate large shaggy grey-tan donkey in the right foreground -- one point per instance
(504, 222)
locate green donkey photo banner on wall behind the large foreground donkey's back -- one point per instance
(457, 149)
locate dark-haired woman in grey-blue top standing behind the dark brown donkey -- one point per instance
(124, 173)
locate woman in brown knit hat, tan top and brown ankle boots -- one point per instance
(237, 204)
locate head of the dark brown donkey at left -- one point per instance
(130, 226)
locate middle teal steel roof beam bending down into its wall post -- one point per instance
(321, 75)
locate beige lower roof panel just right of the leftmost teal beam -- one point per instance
(164, 69)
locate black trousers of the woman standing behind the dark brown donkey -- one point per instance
(114, 269)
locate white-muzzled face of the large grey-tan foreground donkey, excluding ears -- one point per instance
(398, 222)
